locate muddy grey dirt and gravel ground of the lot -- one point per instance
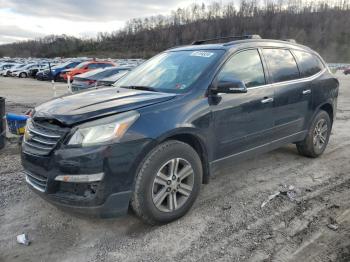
(226, 223)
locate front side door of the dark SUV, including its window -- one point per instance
(243, 121)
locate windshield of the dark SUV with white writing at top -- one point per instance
(170, 71)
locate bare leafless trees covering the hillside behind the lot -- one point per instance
(322, 25)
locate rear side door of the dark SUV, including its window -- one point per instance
(292, 95)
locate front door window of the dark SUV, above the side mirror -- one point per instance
(245, 66)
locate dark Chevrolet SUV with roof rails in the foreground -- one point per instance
(150, 141)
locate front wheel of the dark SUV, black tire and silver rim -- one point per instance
(154, 176)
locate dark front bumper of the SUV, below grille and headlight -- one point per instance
(105, 198)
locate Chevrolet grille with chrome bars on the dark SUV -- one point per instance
(42, 138)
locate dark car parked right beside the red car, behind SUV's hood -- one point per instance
(90, 78)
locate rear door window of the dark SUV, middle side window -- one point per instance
(282, 65)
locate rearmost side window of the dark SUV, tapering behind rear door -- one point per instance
(308, 63)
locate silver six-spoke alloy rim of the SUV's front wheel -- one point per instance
(173, 185)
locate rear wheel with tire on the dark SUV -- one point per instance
(316, 140)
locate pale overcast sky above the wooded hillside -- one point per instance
(28, 19)
